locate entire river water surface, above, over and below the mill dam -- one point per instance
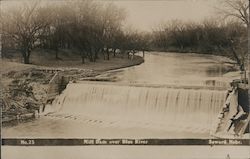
(169, 96)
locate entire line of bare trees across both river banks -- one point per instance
(98, 30)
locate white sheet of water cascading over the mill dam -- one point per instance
(166, 109)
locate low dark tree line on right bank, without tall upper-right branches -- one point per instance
(210, 37)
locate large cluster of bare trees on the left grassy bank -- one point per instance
(89, 27)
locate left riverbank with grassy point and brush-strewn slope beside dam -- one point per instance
(25, 87)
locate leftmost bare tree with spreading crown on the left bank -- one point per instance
(24, 25)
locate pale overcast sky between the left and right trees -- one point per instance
(145, 14)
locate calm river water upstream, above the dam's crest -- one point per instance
(175, 68)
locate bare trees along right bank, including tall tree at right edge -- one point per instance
(226, 34)
